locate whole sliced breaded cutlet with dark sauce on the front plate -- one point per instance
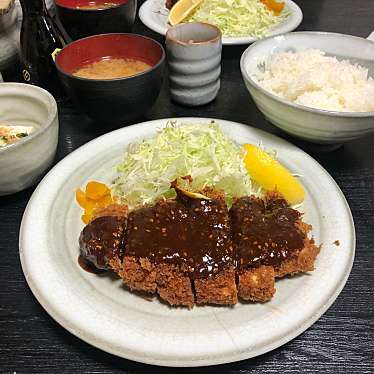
(193, 250)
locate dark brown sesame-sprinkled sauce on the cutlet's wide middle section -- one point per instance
(191, 233)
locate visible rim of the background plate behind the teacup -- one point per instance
(290, 24)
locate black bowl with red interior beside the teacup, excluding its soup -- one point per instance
(119, 99)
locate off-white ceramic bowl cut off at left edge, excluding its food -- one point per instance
(24, 162)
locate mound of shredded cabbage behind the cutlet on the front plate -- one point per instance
(200, 150)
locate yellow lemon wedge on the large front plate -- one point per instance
(271, 175)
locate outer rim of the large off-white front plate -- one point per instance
(31, 274)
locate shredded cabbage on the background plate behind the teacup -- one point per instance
(238, 17)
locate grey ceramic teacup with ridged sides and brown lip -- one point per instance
(194, 59)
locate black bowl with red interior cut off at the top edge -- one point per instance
(80, 18)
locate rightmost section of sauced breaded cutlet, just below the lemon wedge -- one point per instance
(270, 241)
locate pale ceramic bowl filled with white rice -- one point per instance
(314, 85)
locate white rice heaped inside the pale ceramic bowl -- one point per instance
(312, 79)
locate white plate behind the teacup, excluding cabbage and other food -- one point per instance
(155, 16)
